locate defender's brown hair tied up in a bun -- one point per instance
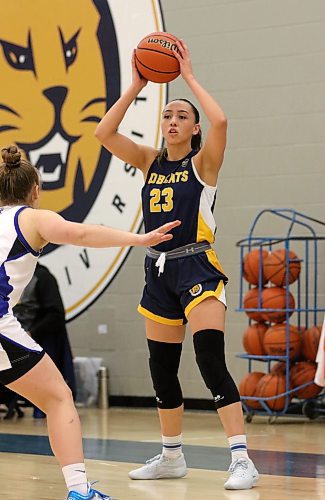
(17, 177)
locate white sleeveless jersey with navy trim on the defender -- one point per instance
(17, 259)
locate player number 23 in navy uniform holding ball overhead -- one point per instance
(184, 280)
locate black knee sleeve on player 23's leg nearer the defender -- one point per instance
(164, 363)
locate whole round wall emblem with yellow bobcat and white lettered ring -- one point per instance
(60, 70)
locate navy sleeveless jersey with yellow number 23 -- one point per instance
(174, 190)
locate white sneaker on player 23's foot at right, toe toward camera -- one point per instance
(243, 475)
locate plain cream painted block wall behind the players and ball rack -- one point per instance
(264, 61)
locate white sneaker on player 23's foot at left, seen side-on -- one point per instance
(161, 467)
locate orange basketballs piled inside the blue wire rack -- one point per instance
(268, 335)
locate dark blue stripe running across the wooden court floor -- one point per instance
(277, 463)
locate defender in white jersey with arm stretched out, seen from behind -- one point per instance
(24, 366)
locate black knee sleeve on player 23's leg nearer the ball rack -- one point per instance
(209, 346)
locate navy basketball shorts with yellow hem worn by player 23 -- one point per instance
(185, 282)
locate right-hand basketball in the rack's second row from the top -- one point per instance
(275, 298)
